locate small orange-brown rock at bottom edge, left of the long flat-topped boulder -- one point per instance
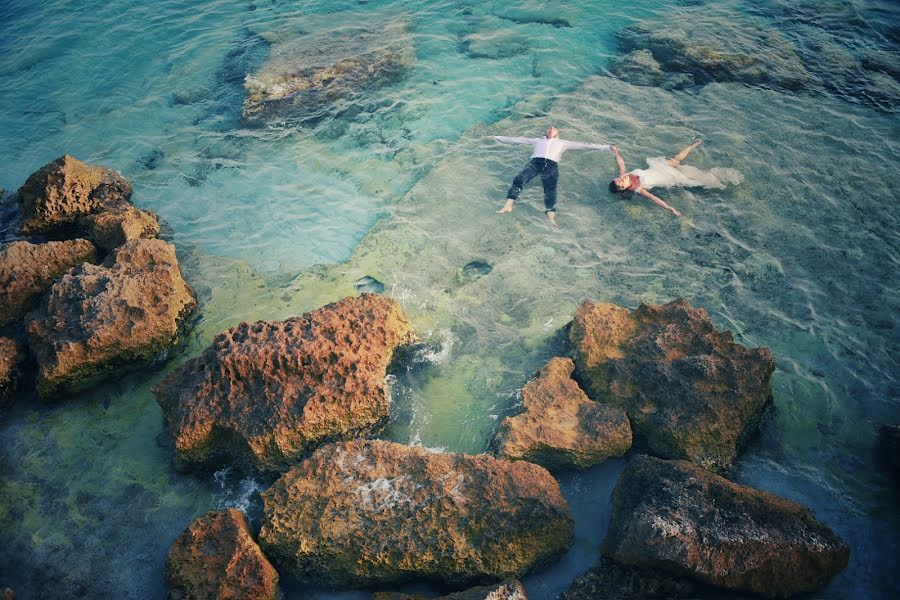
(215, 558)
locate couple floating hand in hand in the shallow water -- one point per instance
(660, 172)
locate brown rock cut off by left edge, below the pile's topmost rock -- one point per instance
(28, 270)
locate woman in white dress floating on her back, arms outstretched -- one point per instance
(670, 172)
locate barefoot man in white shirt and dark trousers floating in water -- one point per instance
(544, 162)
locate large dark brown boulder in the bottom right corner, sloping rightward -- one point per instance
(680, 519)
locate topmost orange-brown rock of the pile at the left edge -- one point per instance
(55, 197)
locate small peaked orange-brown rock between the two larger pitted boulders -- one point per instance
(560, 426)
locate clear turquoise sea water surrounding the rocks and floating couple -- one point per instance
(401, 185)
